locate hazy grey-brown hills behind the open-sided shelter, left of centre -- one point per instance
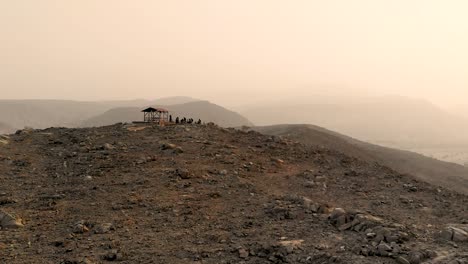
(17, 114)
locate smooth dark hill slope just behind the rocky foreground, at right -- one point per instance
(431, 170)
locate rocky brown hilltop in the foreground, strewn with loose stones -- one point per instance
(204, 194)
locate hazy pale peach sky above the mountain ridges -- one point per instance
(233, 52)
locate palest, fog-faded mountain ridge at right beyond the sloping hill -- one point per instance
(392, 119)
